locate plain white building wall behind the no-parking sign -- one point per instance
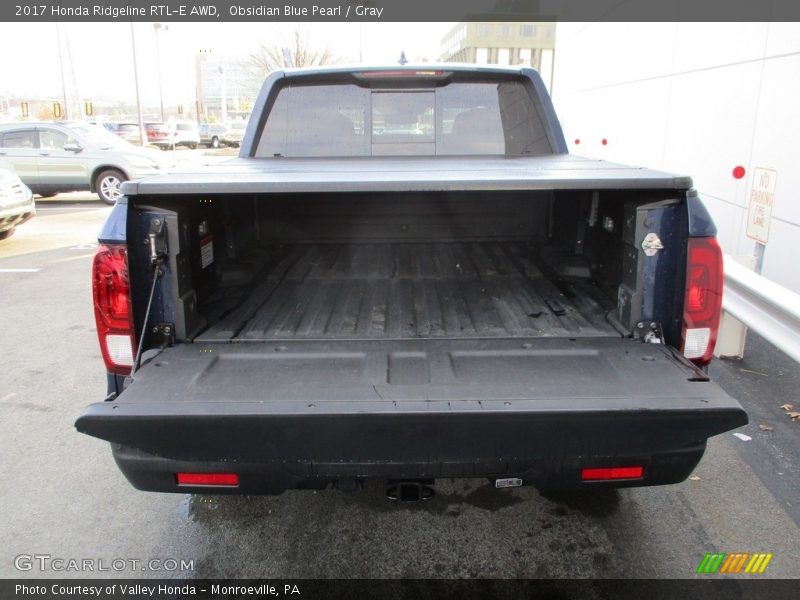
(697, 99)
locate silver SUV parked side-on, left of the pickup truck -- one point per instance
(51, 158)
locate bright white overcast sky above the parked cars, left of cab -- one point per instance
(102, 59)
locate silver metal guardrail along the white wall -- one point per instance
(766, 307)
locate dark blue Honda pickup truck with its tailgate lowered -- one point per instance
(405, 276)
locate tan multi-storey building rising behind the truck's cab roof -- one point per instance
(530, 44)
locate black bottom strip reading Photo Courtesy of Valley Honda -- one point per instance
(699, 588)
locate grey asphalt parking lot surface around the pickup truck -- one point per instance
(65, 498)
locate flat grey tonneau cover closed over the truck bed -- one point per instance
(427, 173)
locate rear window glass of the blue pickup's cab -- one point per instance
(475, 117)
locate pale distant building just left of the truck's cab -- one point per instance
(226, 88)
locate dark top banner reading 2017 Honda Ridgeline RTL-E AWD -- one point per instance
(371, 11)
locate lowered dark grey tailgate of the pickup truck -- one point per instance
(413, 401)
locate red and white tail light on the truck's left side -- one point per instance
(111, 289)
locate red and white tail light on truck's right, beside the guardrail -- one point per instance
(703, 301)
